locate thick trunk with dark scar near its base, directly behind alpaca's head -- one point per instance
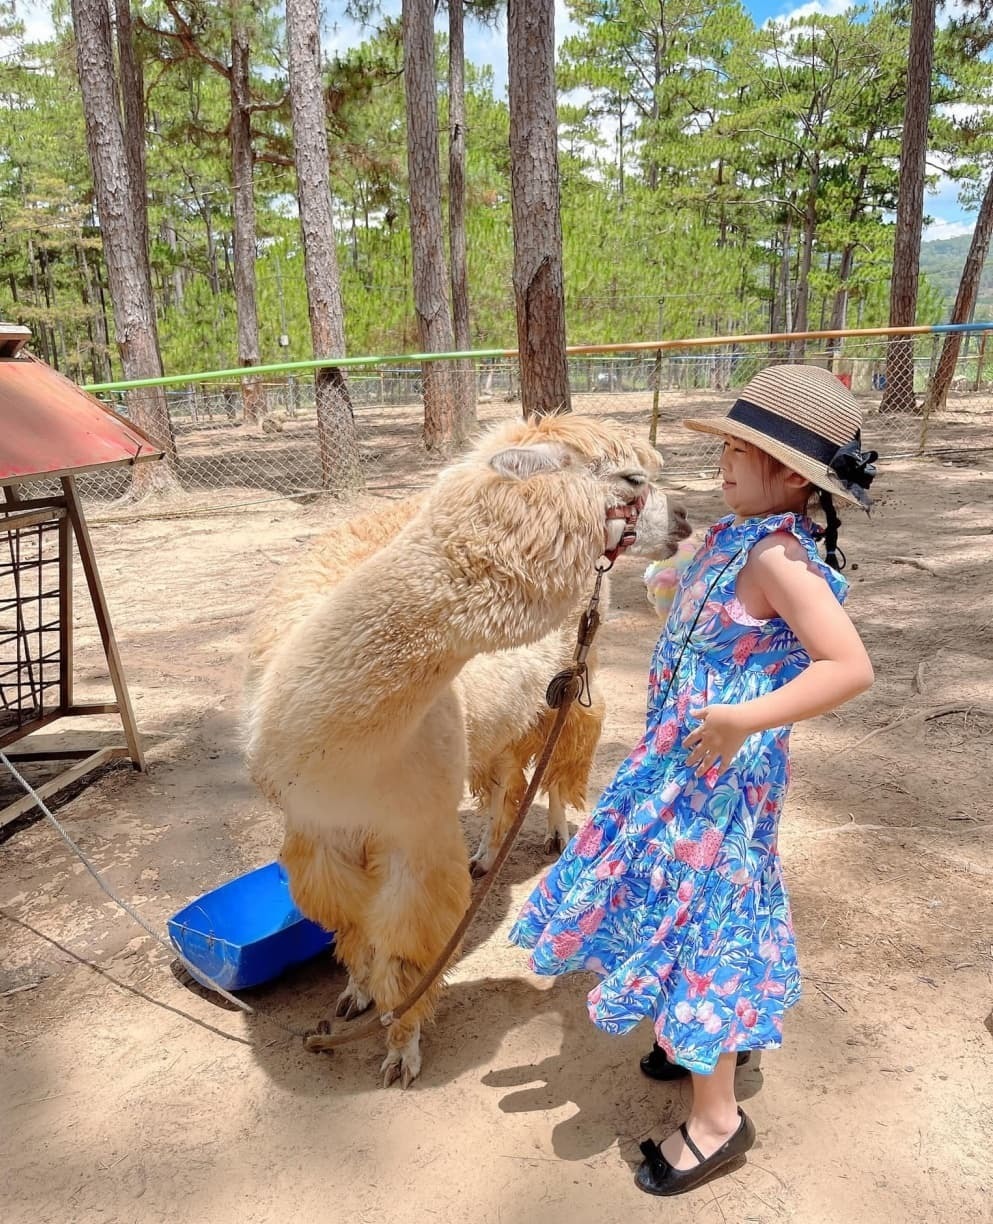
(539, 292)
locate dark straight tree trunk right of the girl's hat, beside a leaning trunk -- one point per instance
(910, 209)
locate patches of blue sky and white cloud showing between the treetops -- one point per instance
(950, 220)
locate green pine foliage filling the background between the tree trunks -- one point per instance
(700, 157)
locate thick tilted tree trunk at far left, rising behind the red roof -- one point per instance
(134, 314)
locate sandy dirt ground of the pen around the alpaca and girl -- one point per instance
(130, 1097)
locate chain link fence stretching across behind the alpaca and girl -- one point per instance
(238, 442)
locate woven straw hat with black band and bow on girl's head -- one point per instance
(809, 420)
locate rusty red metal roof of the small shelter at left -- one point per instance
(50, 428)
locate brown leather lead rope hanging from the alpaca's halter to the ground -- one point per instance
(564, 690)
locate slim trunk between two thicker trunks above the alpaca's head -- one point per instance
(465, 375)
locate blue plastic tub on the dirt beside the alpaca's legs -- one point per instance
(247, 932)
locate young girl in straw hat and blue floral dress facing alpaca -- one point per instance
(673, 893)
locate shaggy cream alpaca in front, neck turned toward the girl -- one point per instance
(356, 730)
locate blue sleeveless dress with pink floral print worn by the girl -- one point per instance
(673, 892)
